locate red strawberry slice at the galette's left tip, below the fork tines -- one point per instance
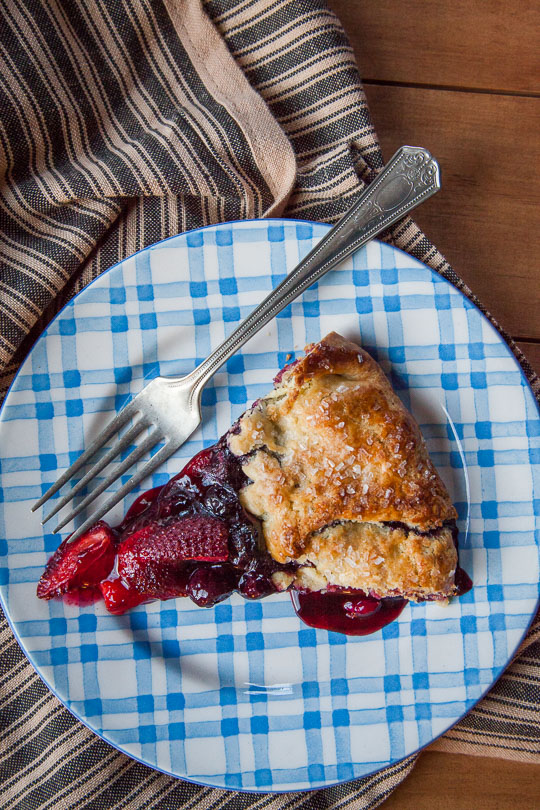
(81, 564)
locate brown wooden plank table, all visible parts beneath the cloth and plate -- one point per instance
(462, 77)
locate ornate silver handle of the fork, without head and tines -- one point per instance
(411, 176)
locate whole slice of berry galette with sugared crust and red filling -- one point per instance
(324, 488)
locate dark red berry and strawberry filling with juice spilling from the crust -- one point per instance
(193, 538)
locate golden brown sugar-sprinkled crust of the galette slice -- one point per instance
(333, 443)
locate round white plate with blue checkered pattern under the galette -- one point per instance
(244, 695)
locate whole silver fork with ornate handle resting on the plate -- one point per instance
(170, 406)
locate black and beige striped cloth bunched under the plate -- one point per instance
(123, 122)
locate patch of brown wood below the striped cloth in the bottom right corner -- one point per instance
(442, 781)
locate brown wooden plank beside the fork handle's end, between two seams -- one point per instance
(485, 219)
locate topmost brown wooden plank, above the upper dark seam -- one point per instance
(468, 43)
